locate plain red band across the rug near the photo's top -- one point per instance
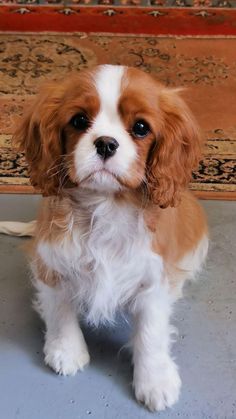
(128, 20)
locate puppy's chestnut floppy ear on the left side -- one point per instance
(39, 136)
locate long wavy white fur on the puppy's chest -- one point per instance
(105, 257)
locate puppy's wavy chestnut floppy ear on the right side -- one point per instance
(176, 152)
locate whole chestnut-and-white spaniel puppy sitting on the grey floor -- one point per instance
(112, 151)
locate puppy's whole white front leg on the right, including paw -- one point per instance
(156, 379)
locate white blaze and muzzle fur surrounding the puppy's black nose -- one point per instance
(108, 81)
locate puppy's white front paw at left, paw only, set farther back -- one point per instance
(65, 358)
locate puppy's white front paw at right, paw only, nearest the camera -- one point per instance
(160, 389)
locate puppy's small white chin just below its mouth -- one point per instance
(102, 181)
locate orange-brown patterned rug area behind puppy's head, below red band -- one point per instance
(205, 66)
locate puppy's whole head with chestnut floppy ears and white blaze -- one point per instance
(110, 129)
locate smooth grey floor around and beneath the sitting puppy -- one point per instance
(205, 350)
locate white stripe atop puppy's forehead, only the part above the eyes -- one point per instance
(108, 84)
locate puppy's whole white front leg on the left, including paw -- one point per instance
(65, 348)
